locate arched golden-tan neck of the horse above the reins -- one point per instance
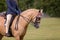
(31, 13)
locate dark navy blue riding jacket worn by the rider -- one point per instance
(12, 7)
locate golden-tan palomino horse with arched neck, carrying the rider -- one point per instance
(30, 15)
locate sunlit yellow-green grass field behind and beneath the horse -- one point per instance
(49, 30)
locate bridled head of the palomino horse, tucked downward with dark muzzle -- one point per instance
(37, 18)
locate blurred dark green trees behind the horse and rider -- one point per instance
(50, 7)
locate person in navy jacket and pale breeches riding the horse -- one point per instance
(12, 9)
